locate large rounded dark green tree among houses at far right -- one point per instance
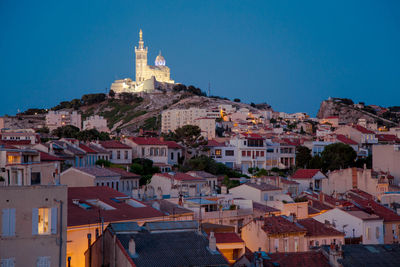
(338, 156)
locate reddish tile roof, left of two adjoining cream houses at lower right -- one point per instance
(281, 225)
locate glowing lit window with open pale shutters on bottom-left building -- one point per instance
(44, 221)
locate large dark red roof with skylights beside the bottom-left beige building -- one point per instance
(121, 212)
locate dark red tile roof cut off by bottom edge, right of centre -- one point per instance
(295, 259)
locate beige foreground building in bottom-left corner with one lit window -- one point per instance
(33, 225)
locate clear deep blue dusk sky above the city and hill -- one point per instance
(290, 54)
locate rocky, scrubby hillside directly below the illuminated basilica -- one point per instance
(127, 113)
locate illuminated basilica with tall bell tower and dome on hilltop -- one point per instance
(148, 78)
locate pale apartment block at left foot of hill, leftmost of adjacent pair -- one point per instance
(55, 119)
